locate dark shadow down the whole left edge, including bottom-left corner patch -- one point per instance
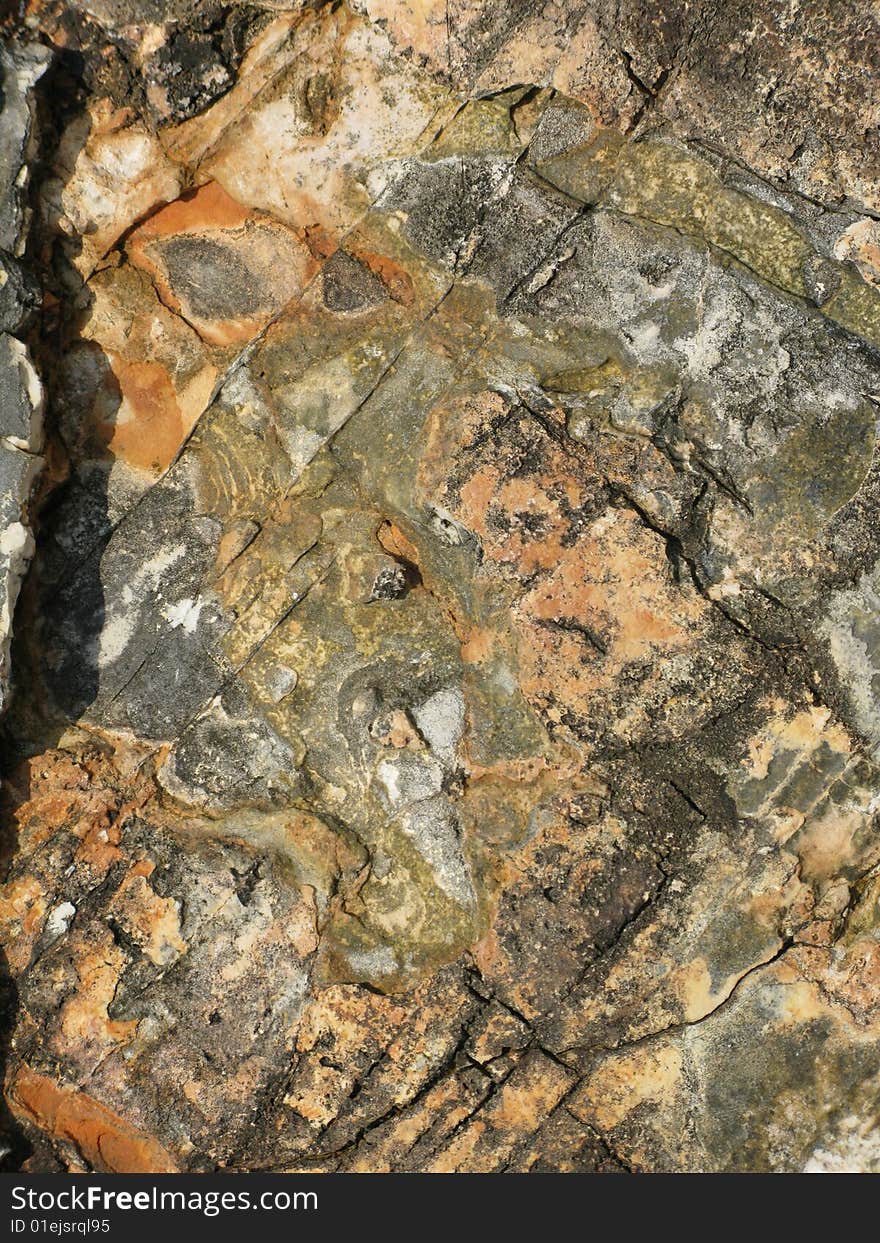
(60, 611)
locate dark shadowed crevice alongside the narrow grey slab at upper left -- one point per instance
(57, 652)
